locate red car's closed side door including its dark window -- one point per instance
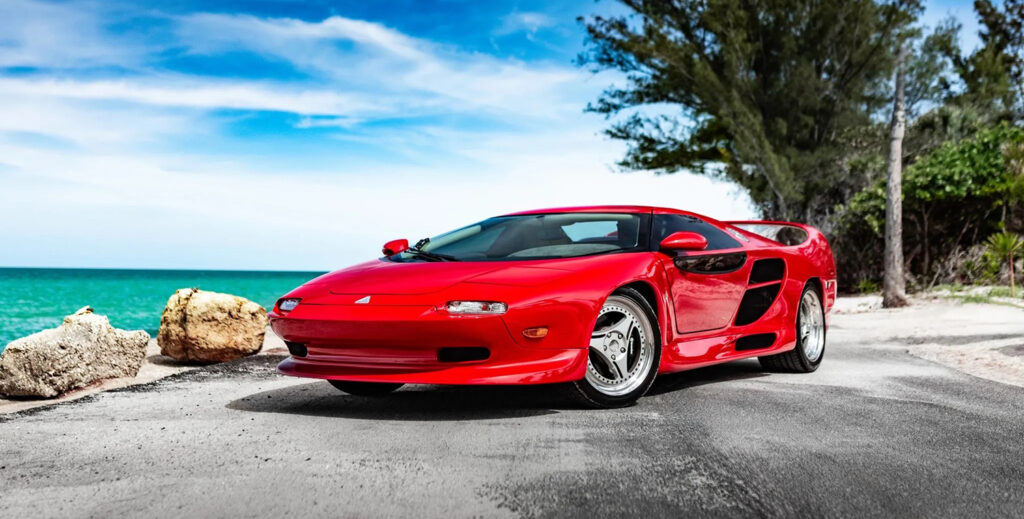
(706, 286)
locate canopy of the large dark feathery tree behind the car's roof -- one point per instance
(767, 95)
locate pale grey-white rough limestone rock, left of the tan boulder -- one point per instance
(86, 349)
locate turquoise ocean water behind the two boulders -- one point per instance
(35, 299)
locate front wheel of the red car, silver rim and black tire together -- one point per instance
(625, 352)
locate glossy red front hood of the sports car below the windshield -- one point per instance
(389, 278)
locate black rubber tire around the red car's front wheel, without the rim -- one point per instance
(584, 394)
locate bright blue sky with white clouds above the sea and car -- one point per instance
(302, 136)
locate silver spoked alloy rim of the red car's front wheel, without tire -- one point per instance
(621, 350)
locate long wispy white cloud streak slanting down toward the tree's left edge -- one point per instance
(389, 63)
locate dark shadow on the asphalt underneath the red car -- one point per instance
(417, 403)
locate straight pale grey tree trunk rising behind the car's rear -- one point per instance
(894, 285)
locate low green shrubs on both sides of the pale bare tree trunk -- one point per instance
(953, 198)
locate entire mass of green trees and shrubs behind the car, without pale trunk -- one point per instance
(789, 99)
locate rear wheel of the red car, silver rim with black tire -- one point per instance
(810, 349)
